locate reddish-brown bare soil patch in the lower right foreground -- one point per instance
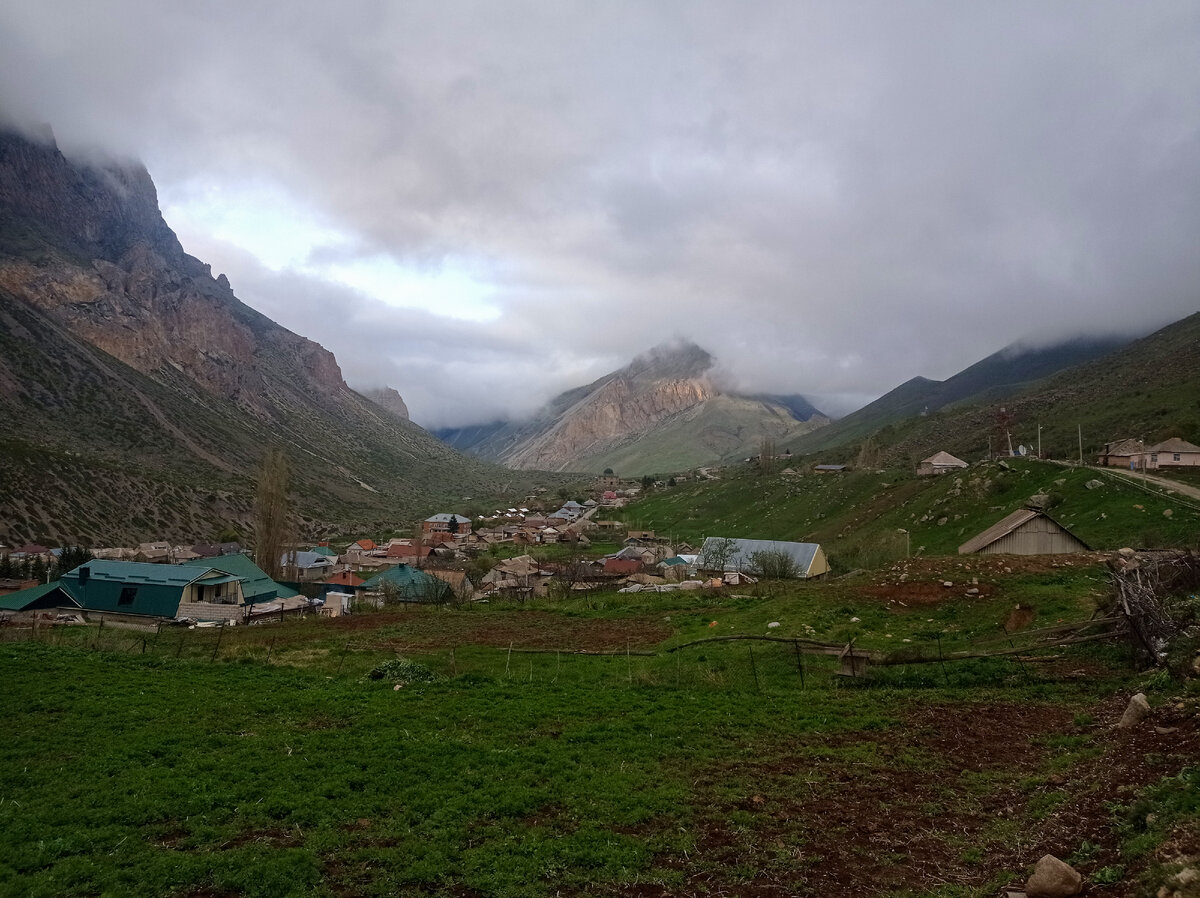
(957, 797)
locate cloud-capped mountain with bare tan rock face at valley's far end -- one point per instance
(663, 412)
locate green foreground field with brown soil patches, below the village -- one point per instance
(496, 761)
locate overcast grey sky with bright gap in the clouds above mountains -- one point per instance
(483, 205)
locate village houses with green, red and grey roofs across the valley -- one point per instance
(520, 553)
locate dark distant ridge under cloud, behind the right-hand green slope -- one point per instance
(1001, 374)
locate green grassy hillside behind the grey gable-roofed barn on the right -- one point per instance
(857, 516)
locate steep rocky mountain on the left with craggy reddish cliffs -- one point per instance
(140, 393)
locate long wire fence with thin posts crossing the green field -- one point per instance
(742, 663)
